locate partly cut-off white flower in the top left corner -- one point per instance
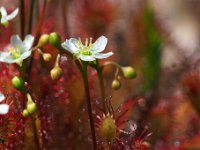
(5, 17)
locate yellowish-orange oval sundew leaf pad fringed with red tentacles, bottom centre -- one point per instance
(108, 129)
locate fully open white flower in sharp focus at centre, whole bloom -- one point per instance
(88, 52)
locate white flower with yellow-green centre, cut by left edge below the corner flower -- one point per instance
(18, 51)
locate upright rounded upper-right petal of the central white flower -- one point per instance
(99, 44)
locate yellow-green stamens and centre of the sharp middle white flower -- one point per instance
(85, 49)
